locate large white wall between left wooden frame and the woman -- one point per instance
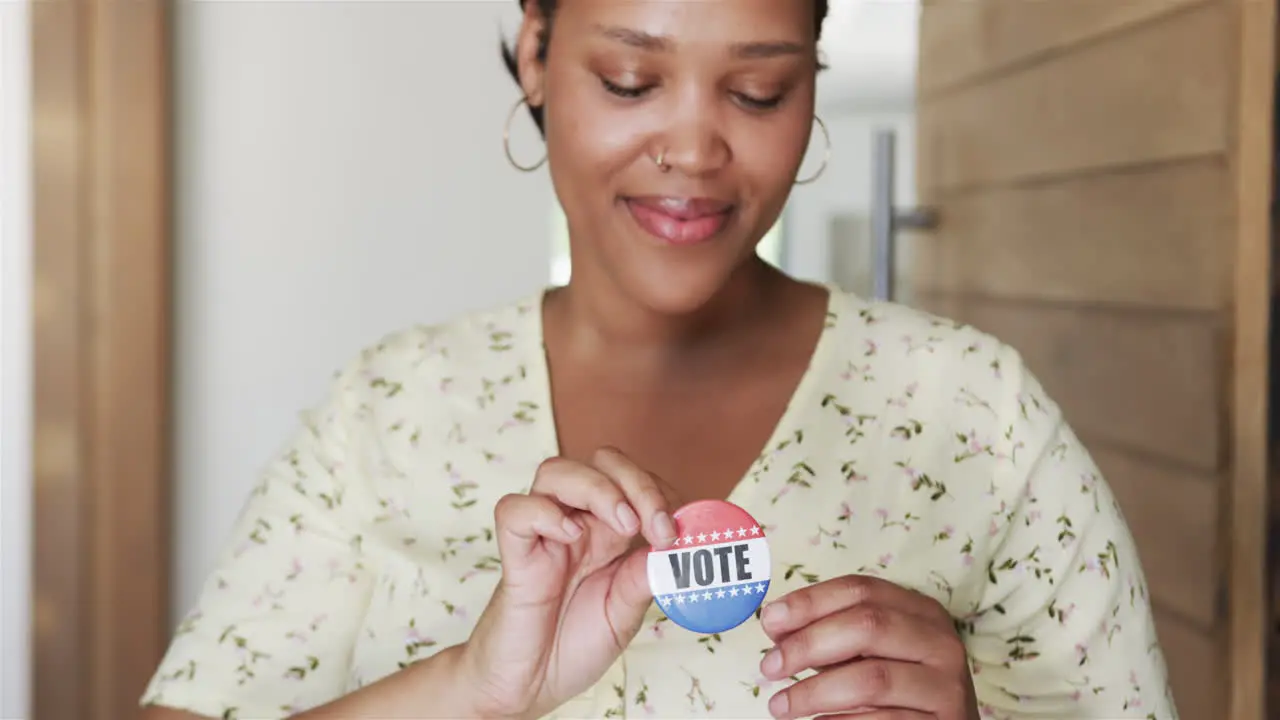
(340, 176)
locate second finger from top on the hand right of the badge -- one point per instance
(866, 631)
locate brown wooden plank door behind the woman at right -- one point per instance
(1101, 172)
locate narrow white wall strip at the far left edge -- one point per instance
(16, 348)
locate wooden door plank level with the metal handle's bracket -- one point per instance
(1155, 236)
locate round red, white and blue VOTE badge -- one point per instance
(716, 575)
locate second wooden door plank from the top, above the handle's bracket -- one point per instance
(1167, 90)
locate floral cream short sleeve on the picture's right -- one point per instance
(1066, 631)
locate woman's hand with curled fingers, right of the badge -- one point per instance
(881, 653)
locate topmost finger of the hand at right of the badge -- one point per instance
(803, 607)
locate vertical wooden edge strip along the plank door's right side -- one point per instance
(1247, 525)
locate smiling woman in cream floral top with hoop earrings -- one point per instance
(944, 548)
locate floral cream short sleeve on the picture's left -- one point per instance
(273, 630)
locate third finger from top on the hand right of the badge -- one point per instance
(880, 685)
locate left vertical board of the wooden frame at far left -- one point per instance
(61, 339)
